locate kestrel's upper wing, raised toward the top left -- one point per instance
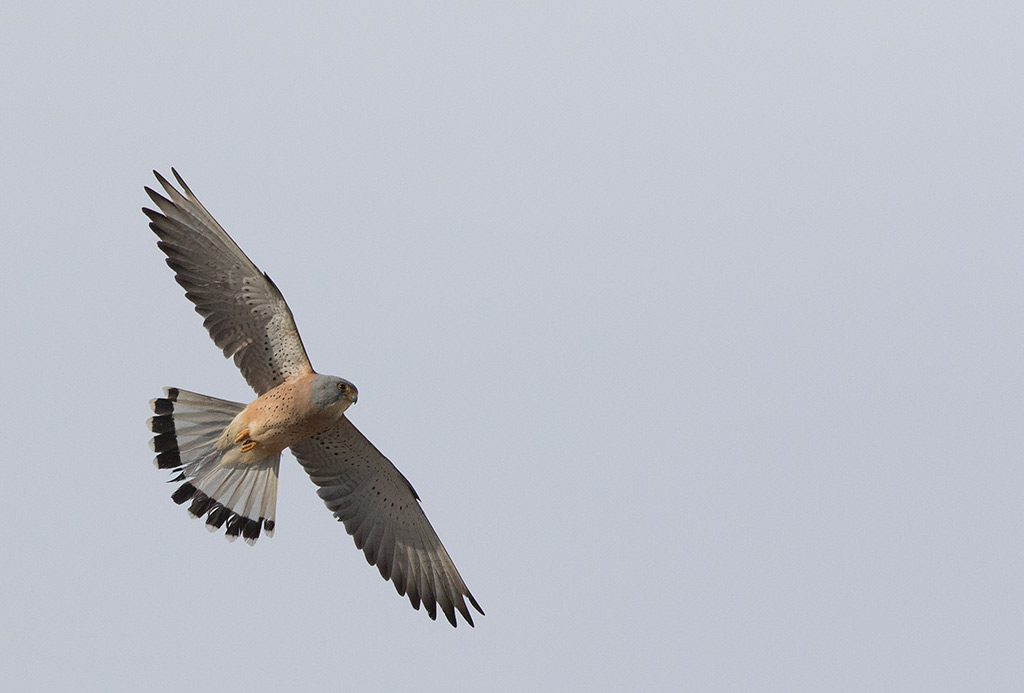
(244, 312)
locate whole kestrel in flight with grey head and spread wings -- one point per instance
(227, 455)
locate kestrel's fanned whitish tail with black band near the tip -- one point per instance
(188, 430)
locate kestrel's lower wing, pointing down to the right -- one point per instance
(382, 513)
